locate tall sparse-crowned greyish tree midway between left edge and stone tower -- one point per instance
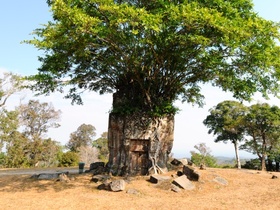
(36, 119)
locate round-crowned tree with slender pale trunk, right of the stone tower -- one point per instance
(226, 122)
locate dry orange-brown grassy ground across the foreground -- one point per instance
(245, 190)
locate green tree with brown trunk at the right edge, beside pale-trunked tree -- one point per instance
(261, 123)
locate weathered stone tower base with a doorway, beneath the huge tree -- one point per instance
(139, 144)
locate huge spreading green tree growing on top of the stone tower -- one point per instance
(151, 53)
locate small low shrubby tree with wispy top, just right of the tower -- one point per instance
(203, 156)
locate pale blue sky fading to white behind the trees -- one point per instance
(19, 18)
